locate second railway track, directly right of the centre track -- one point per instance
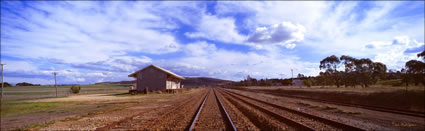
(294, 119)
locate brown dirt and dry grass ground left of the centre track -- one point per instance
(88, 112)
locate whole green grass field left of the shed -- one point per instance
(16, 99)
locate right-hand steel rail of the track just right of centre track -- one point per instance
(326, 121)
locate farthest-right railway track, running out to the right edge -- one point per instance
(369, 107)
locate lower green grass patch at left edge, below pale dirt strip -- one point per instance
(18, 107)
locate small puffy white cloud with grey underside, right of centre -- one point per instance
(284, 33)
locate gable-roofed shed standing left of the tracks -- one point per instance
(155, 78)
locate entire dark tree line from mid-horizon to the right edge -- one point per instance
(349, 72)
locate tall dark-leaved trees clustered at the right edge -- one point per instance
(350, 71)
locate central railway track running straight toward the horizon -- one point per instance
(212, 115)
